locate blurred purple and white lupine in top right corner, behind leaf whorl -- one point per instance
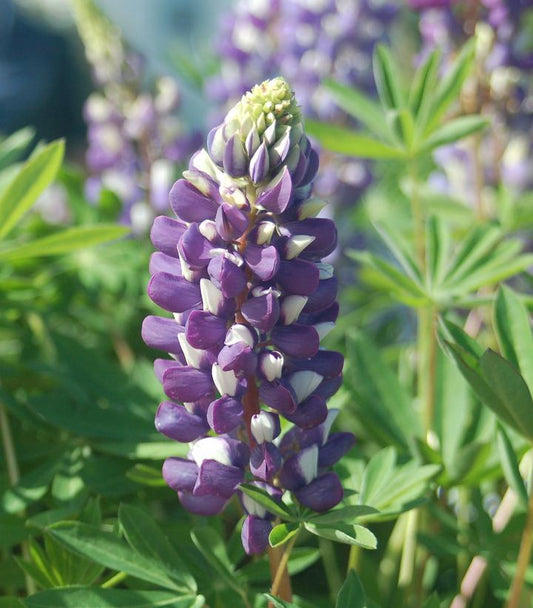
(505, 93)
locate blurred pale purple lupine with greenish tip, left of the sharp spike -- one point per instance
(136, 141)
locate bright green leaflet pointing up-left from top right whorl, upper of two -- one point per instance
(359, 106)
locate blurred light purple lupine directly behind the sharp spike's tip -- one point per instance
(305, 42)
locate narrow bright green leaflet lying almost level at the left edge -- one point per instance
(64, 241)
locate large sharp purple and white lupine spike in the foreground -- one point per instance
(241, 270)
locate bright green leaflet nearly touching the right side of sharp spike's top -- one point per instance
(344, 141)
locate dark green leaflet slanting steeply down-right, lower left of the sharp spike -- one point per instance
(147, 539)
